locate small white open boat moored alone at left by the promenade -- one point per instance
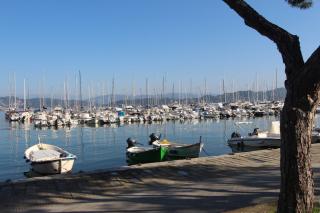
(49, 159)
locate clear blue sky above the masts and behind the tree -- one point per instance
(137, 39)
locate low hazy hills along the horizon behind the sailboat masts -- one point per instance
(252, 96)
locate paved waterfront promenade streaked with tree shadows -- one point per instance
(209, 184)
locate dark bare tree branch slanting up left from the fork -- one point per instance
(288, 44)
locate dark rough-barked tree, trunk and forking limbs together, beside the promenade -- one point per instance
(297, 115)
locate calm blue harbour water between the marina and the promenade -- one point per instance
(104, 147)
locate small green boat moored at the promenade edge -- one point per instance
(136, 154)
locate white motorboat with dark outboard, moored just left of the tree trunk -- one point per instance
(269, 138)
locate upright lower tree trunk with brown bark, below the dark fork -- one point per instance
(296, 192)
